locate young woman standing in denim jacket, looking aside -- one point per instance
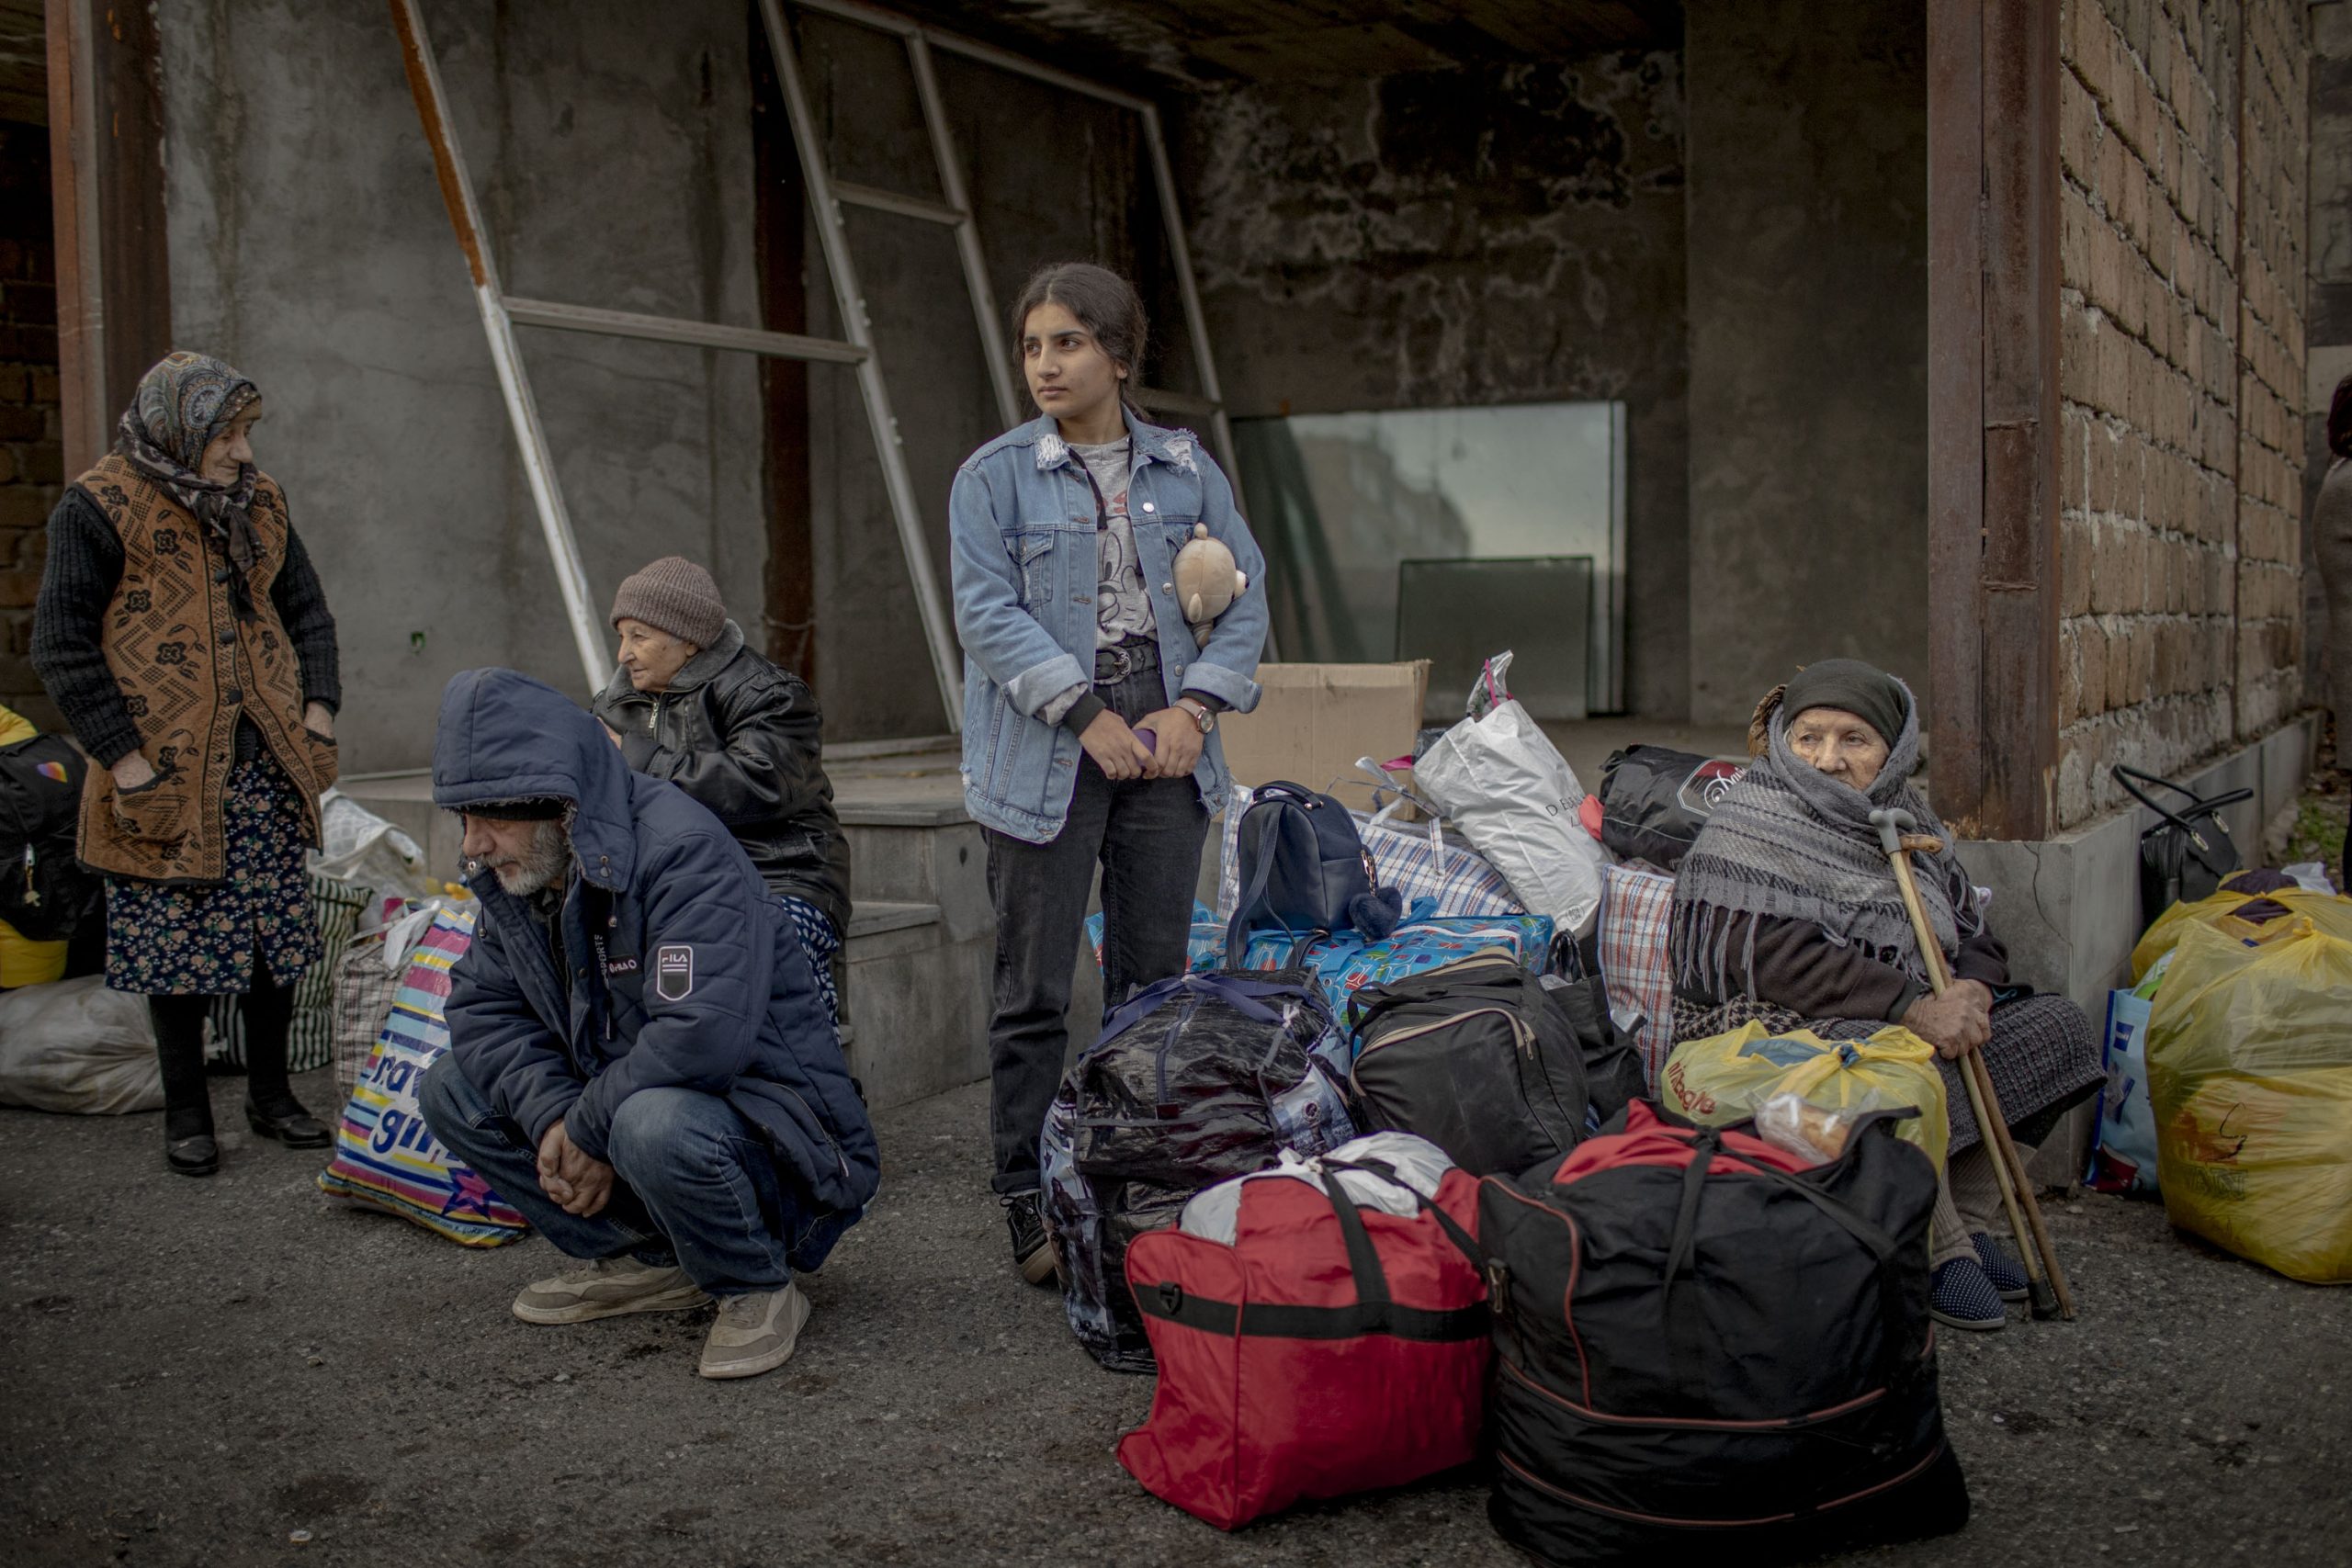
(1074, 643)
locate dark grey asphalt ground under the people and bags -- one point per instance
(194, 1372)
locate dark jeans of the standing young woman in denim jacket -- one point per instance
(1147, 836)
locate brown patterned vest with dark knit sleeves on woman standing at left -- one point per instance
(140, 645)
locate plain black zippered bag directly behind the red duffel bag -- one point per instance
(1481, 1059)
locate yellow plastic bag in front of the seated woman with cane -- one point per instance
(1723, 1078)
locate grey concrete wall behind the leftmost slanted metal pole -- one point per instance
(312, 250)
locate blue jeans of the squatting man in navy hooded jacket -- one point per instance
(695, 1186)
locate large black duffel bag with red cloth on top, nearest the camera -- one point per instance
(1706, 1355)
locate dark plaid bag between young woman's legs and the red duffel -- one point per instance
(1194, 1080)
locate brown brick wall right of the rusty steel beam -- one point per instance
(2181, 370)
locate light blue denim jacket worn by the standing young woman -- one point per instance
(1022, 521)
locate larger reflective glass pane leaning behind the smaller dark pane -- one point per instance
(1342, 500)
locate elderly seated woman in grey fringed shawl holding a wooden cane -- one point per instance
(1789, 913)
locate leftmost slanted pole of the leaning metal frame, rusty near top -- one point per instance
(514, 384)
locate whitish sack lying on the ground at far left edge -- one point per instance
(79, 1047)
